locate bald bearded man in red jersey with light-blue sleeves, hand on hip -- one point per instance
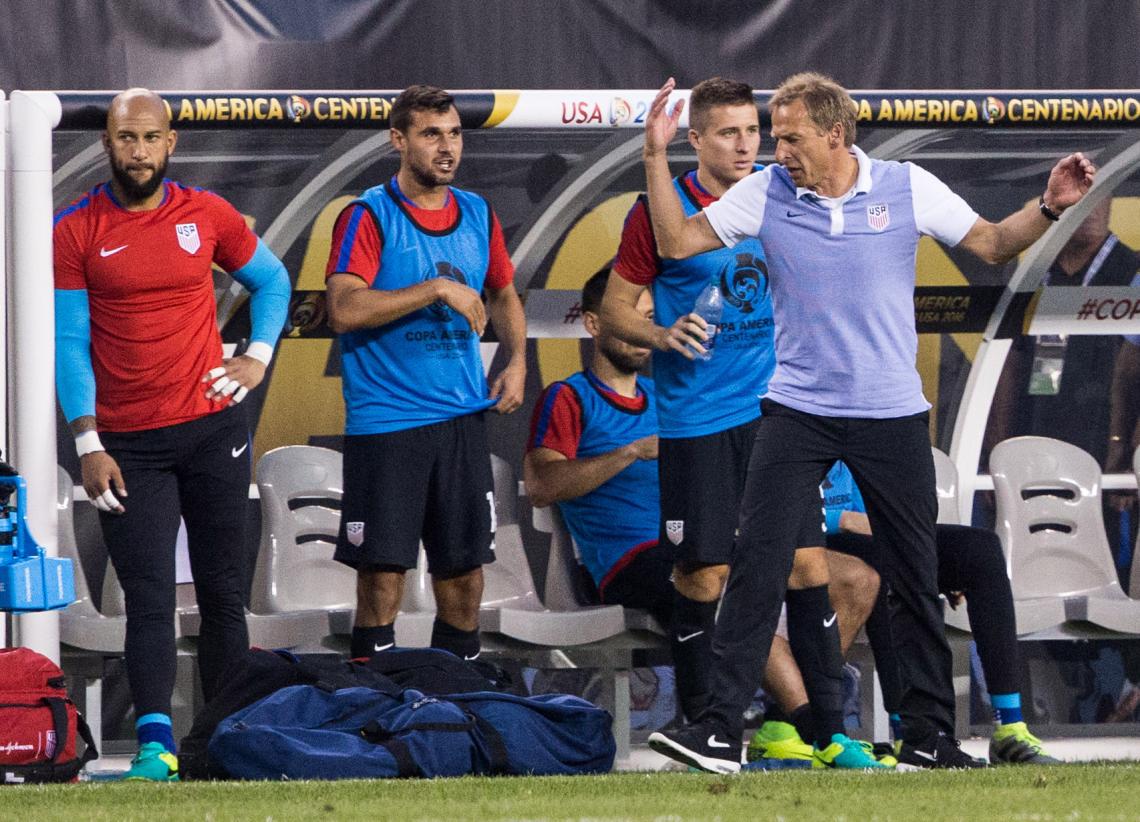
(154, 405)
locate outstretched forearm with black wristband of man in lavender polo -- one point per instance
(1069, 183)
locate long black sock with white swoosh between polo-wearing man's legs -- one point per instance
(813, 633)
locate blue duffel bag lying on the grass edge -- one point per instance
(305, 733)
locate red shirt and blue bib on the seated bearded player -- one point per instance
(583, 418)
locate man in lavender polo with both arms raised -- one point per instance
(841, 232)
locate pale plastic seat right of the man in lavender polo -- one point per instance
(1053, 530)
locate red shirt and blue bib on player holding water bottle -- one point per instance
(699, 398)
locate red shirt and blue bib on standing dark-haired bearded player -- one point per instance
(426, 367)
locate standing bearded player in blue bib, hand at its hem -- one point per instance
(409, 266)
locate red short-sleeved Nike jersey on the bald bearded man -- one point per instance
(151, 296)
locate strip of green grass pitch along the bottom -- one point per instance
(1072, 793)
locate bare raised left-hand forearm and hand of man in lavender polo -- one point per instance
(677, 237)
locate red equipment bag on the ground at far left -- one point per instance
(38, 722)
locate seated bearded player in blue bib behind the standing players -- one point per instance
(593, 451)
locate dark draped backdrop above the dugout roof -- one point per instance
(572, 44)
